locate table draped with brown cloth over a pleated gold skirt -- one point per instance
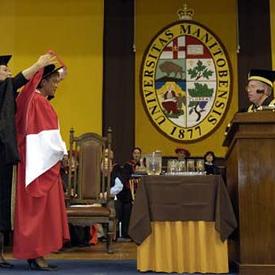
(181, 224)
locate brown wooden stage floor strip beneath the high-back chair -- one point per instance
(122, 251)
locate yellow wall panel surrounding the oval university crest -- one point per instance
(151, 16)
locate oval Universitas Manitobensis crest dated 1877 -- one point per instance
(186, 81)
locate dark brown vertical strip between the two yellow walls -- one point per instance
(118, 76)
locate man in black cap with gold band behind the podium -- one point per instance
(260, 90)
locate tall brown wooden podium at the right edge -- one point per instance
(250, 177)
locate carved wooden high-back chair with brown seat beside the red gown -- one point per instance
(88, 189)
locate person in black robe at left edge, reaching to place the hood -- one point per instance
(8, 144)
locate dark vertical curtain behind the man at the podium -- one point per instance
(254, 41)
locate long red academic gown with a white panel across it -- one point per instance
(40, 225)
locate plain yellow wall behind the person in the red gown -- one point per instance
(74, 29)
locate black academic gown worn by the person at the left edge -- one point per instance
(8, 145)
